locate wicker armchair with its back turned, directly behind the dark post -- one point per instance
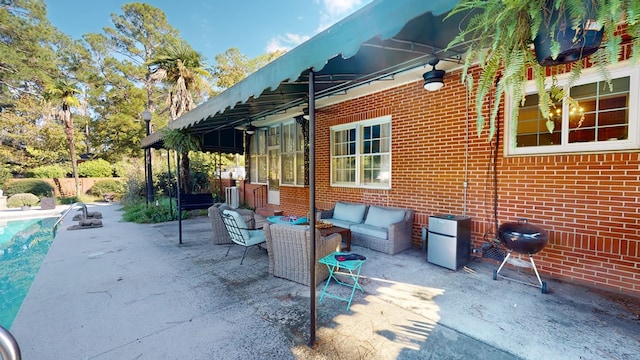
(289, 248)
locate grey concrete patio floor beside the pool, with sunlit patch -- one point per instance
(130, 291)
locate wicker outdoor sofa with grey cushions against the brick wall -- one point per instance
(381, 228)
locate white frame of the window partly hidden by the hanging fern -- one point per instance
(632, 142)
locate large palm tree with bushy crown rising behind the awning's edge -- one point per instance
(183, 69)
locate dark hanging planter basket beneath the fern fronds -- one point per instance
(574, 43)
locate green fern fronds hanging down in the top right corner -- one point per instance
(502, 34)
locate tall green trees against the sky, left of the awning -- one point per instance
(61, 97)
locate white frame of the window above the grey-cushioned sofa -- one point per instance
(358, 183)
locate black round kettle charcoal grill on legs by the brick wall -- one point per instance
(523, 238)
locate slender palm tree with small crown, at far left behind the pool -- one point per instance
(63, 92)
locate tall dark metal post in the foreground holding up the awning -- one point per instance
(312, 207)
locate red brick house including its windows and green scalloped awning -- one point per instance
(581, 183)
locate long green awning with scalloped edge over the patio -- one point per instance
(383, 39)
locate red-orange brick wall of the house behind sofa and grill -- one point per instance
(588, 203)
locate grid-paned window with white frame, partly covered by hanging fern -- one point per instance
(604, 119)
